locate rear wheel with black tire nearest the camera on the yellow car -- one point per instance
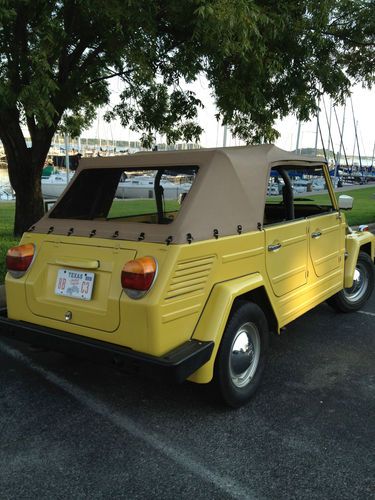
(242, 354)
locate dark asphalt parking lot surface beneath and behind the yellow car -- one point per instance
(70, 429)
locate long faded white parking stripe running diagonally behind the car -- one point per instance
(229, 487)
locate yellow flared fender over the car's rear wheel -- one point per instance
(215, 316)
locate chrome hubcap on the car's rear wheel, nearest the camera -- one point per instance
(244, 354)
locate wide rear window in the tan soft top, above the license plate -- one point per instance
(149, 196)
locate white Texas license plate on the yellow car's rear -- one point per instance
(74, 284)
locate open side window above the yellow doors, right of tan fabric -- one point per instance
(295, 193)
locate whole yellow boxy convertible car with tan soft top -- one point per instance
(190, 279)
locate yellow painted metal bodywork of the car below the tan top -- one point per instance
(196, 284)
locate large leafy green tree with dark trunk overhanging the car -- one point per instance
(263, 59)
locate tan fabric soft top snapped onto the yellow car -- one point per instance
(229, 191)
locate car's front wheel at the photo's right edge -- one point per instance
(351, 299)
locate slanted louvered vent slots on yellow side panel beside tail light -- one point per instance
(189, 277)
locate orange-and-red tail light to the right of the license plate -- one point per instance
(138, 276)
